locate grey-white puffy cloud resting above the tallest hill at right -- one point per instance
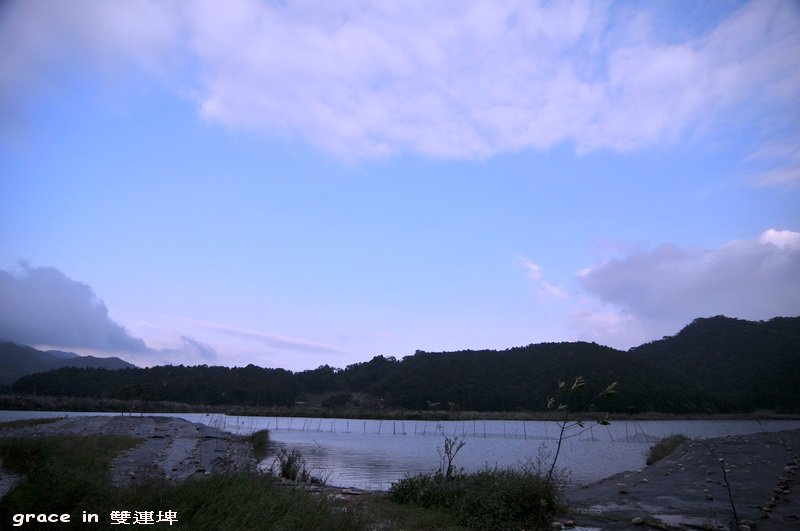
(656, 292)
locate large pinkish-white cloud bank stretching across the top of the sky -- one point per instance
(443, 79)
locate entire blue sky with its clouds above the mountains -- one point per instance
(292, 183)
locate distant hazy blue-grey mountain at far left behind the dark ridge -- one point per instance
(18, 360)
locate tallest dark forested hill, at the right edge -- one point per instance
(742, 364)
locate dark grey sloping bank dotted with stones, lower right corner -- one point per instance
(689, 489)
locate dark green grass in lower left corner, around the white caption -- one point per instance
(69, 474)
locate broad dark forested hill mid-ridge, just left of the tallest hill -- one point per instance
(521, 379)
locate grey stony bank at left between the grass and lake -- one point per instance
(173, 449)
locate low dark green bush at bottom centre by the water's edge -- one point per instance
(489, 499)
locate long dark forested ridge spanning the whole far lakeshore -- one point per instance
(712, 365)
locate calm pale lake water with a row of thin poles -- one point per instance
(372, 454)
